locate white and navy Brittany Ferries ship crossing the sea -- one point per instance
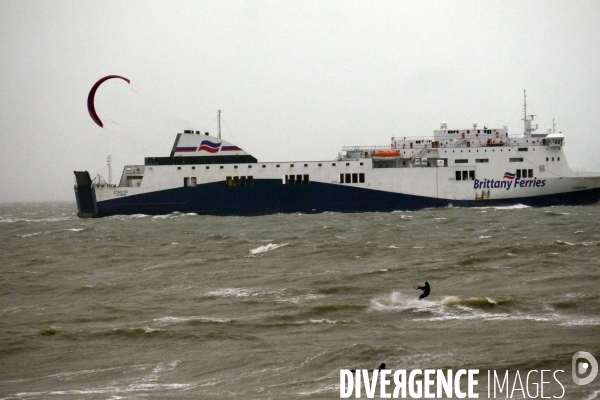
(471, 167)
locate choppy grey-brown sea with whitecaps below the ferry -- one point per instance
(184, 306)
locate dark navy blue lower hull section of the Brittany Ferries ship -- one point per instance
(271, 196)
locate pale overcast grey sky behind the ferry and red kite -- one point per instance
(295, 80)
